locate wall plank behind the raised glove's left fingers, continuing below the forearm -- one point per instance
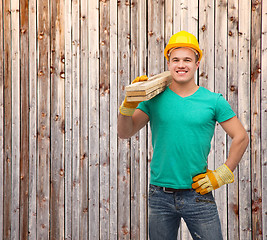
(135, 147)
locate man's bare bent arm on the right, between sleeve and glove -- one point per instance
(240, 140)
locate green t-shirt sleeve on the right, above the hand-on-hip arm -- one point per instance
(223, 110)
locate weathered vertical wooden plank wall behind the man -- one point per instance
(64, 65)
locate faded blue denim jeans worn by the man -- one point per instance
(198, 211)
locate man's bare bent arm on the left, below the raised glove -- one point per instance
(129, 125)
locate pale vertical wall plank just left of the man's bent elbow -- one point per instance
(113, 120)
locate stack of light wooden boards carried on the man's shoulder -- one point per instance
(143, 91)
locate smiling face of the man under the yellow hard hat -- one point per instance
(182, 65)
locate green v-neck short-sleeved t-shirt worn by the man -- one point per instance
(182, 130)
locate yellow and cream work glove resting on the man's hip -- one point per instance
(211, 180)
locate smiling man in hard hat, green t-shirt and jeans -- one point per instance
(182, 121)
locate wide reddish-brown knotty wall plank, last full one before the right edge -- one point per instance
(255, 120)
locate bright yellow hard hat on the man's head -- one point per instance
(182, 39)
